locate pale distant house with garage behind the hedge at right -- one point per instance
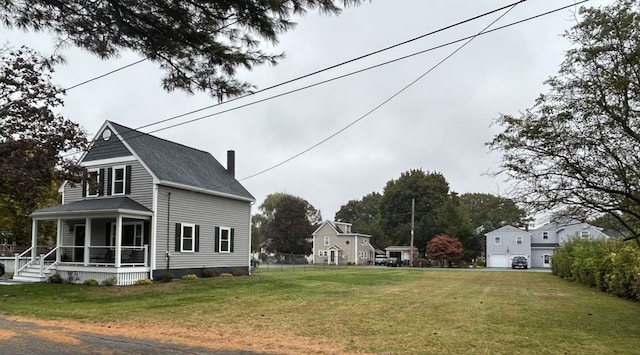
(538, 245)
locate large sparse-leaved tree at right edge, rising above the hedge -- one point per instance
(578, 146)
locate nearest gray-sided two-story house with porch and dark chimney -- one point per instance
(145, 207)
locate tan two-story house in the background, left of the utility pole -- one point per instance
(335, 244)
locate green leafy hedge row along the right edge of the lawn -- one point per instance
(609, 265)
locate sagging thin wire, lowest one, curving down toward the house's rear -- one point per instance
(389, 99)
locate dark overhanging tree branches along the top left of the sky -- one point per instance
(199, 44)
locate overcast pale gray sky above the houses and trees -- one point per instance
(439, 124)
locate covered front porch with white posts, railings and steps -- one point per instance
(98, 239)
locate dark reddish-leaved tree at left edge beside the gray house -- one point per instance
(33, 137)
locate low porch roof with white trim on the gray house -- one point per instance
(116, 205)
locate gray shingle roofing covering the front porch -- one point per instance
(92, 205)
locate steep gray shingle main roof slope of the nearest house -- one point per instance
(177, 163)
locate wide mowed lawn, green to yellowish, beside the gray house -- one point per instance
(365, 310)
